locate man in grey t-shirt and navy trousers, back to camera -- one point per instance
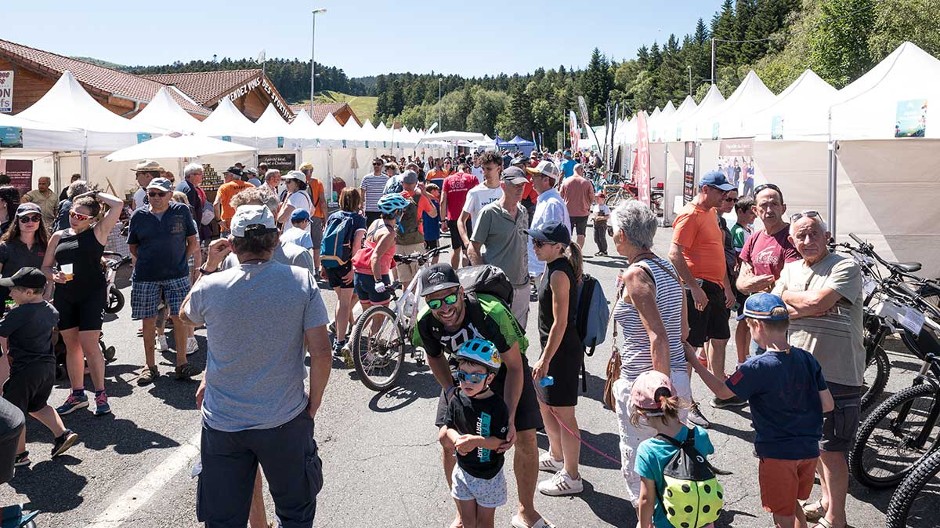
(254, 404)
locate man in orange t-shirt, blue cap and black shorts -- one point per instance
(698, 254)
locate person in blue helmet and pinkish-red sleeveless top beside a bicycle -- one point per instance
(373, 261)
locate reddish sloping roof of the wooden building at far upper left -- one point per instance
(98, 79)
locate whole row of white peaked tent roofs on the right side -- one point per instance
(808, 110)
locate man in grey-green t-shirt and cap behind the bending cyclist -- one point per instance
(499, 239)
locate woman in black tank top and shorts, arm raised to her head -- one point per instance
(73, 262)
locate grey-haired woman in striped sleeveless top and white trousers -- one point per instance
(651, 313)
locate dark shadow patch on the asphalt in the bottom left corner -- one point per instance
(38, 481)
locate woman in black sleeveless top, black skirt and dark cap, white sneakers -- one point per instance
(562, 354)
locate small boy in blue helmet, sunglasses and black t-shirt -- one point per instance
(477, 422)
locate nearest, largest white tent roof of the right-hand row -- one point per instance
(892, 94)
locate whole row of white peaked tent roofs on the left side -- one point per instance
(67, 118)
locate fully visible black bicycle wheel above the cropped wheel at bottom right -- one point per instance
(897, 434)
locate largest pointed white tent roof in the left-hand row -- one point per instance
(68, 105)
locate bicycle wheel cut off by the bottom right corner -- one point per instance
(917, 499)
